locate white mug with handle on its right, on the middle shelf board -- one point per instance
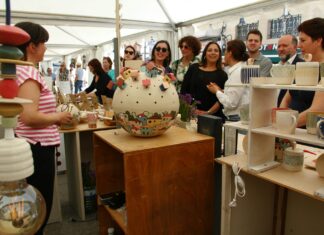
(286, 121)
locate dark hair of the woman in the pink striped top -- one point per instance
(38, 34)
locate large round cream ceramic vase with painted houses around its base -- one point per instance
(145, 106)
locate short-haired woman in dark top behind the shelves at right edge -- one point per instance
(311, 41)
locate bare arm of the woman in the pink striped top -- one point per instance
(30, 89)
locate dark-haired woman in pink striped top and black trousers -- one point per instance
(38, 121)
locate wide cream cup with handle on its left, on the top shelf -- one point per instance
(283, 74)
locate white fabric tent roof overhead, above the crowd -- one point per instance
(78, 24)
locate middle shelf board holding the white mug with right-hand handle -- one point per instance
(300, 135)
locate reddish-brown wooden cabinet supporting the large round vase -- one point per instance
(168, 181)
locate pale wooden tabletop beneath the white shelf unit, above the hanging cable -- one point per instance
(304, 182)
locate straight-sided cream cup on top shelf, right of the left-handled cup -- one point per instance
(307, 73)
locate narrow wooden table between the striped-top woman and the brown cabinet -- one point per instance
(78, 148)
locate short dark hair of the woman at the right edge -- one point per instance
(313, 28)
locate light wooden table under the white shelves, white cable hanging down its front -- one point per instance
(256, 211)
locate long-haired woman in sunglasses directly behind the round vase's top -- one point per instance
(160, 58)
